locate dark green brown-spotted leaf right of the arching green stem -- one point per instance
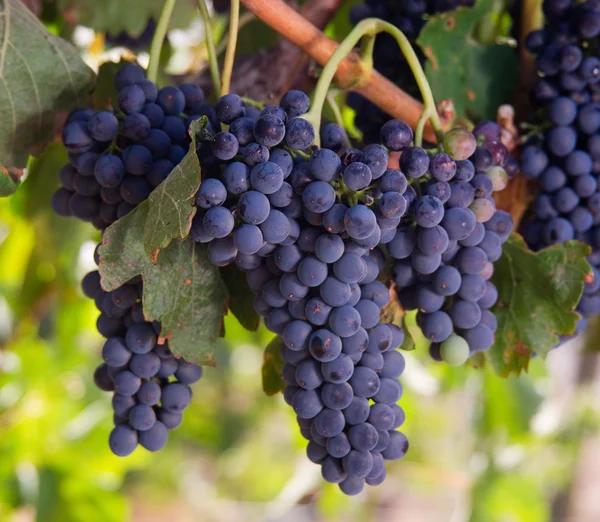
(477, 78)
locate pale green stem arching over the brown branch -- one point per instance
(371, 27)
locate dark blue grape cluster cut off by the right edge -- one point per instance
(564, 157)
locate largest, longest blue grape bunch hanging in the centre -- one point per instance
(306, 230)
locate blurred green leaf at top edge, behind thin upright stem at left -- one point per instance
(113, 17)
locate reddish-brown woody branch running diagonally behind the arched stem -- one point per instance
(351, 72)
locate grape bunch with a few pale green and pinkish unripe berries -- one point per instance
(446, 246)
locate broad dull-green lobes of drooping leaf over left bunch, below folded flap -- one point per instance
(183, 290)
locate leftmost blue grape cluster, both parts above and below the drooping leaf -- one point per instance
(115, 161)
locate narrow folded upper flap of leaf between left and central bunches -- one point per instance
(171, 205)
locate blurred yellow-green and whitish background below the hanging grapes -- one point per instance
(482, 448)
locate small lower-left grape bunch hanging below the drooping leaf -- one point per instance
(151, 386)
